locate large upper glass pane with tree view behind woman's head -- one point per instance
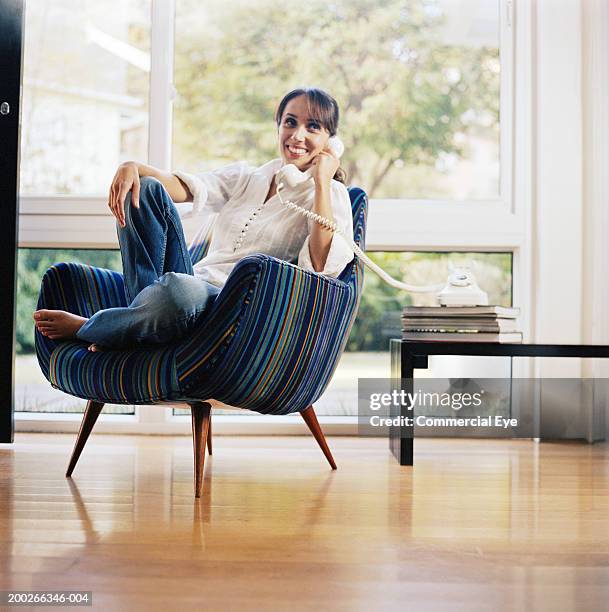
(417, 83)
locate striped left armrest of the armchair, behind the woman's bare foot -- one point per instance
(81, 289)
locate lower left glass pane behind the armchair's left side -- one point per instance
(33, 392)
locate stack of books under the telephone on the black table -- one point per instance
(461, 324)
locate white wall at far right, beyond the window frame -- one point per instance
(569, 218)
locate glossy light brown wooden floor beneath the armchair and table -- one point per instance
(476, 525)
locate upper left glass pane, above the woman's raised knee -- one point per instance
(85, 93)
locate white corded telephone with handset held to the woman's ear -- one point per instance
(459, 290)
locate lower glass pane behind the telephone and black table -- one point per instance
(378, 320)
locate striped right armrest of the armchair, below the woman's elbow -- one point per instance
(272, 319)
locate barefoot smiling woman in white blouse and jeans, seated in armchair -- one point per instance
(166, 294)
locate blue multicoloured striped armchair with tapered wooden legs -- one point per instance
(270, 343)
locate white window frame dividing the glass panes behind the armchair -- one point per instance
(496, 225)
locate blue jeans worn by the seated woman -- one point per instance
(165, 299)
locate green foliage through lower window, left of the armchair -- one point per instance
(31, 266)
